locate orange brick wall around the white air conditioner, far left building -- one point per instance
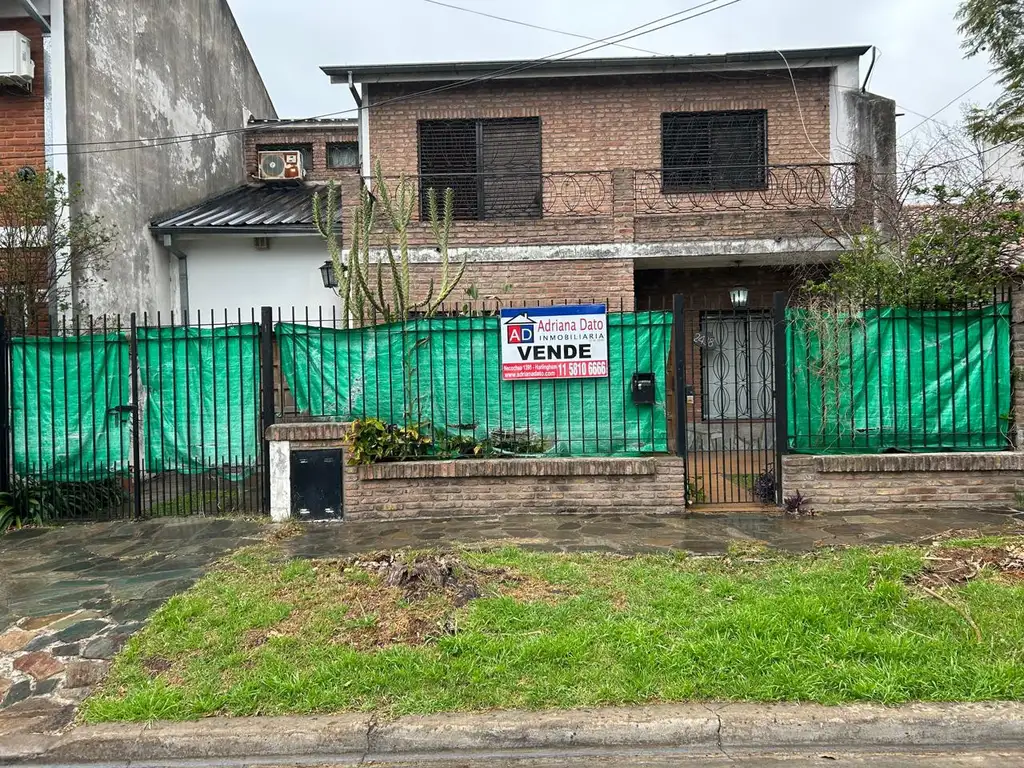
(22, 115)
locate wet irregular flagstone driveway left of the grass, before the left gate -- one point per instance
(71, 598)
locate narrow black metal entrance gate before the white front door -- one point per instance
(726, 397)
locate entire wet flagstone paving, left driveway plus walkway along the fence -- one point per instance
(71, 598)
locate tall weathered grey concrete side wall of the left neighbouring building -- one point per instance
(148, 69)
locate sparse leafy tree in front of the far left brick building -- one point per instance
(45, 245)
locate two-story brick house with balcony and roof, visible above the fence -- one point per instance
(610, 177)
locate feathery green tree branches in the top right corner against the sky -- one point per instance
(997, 28)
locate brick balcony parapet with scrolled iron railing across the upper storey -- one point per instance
(641, 205)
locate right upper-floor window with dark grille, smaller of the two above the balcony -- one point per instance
(712, 151)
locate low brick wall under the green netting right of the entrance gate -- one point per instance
(906, 482)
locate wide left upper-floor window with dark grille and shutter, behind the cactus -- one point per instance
(480, 194)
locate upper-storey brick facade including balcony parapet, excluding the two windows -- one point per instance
(613, 126)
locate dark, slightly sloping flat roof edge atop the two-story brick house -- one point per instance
(519, 69)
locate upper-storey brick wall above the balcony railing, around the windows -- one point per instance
(606, 123)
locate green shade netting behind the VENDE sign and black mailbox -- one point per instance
(447, 372)
